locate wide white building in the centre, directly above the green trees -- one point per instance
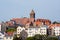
(33, 31)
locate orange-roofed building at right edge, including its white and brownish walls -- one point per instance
(54, 29)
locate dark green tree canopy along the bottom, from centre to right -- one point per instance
(41, 37)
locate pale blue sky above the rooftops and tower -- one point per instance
(47, 9)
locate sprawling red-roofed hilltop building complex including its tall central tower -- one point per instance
(23, 21)
